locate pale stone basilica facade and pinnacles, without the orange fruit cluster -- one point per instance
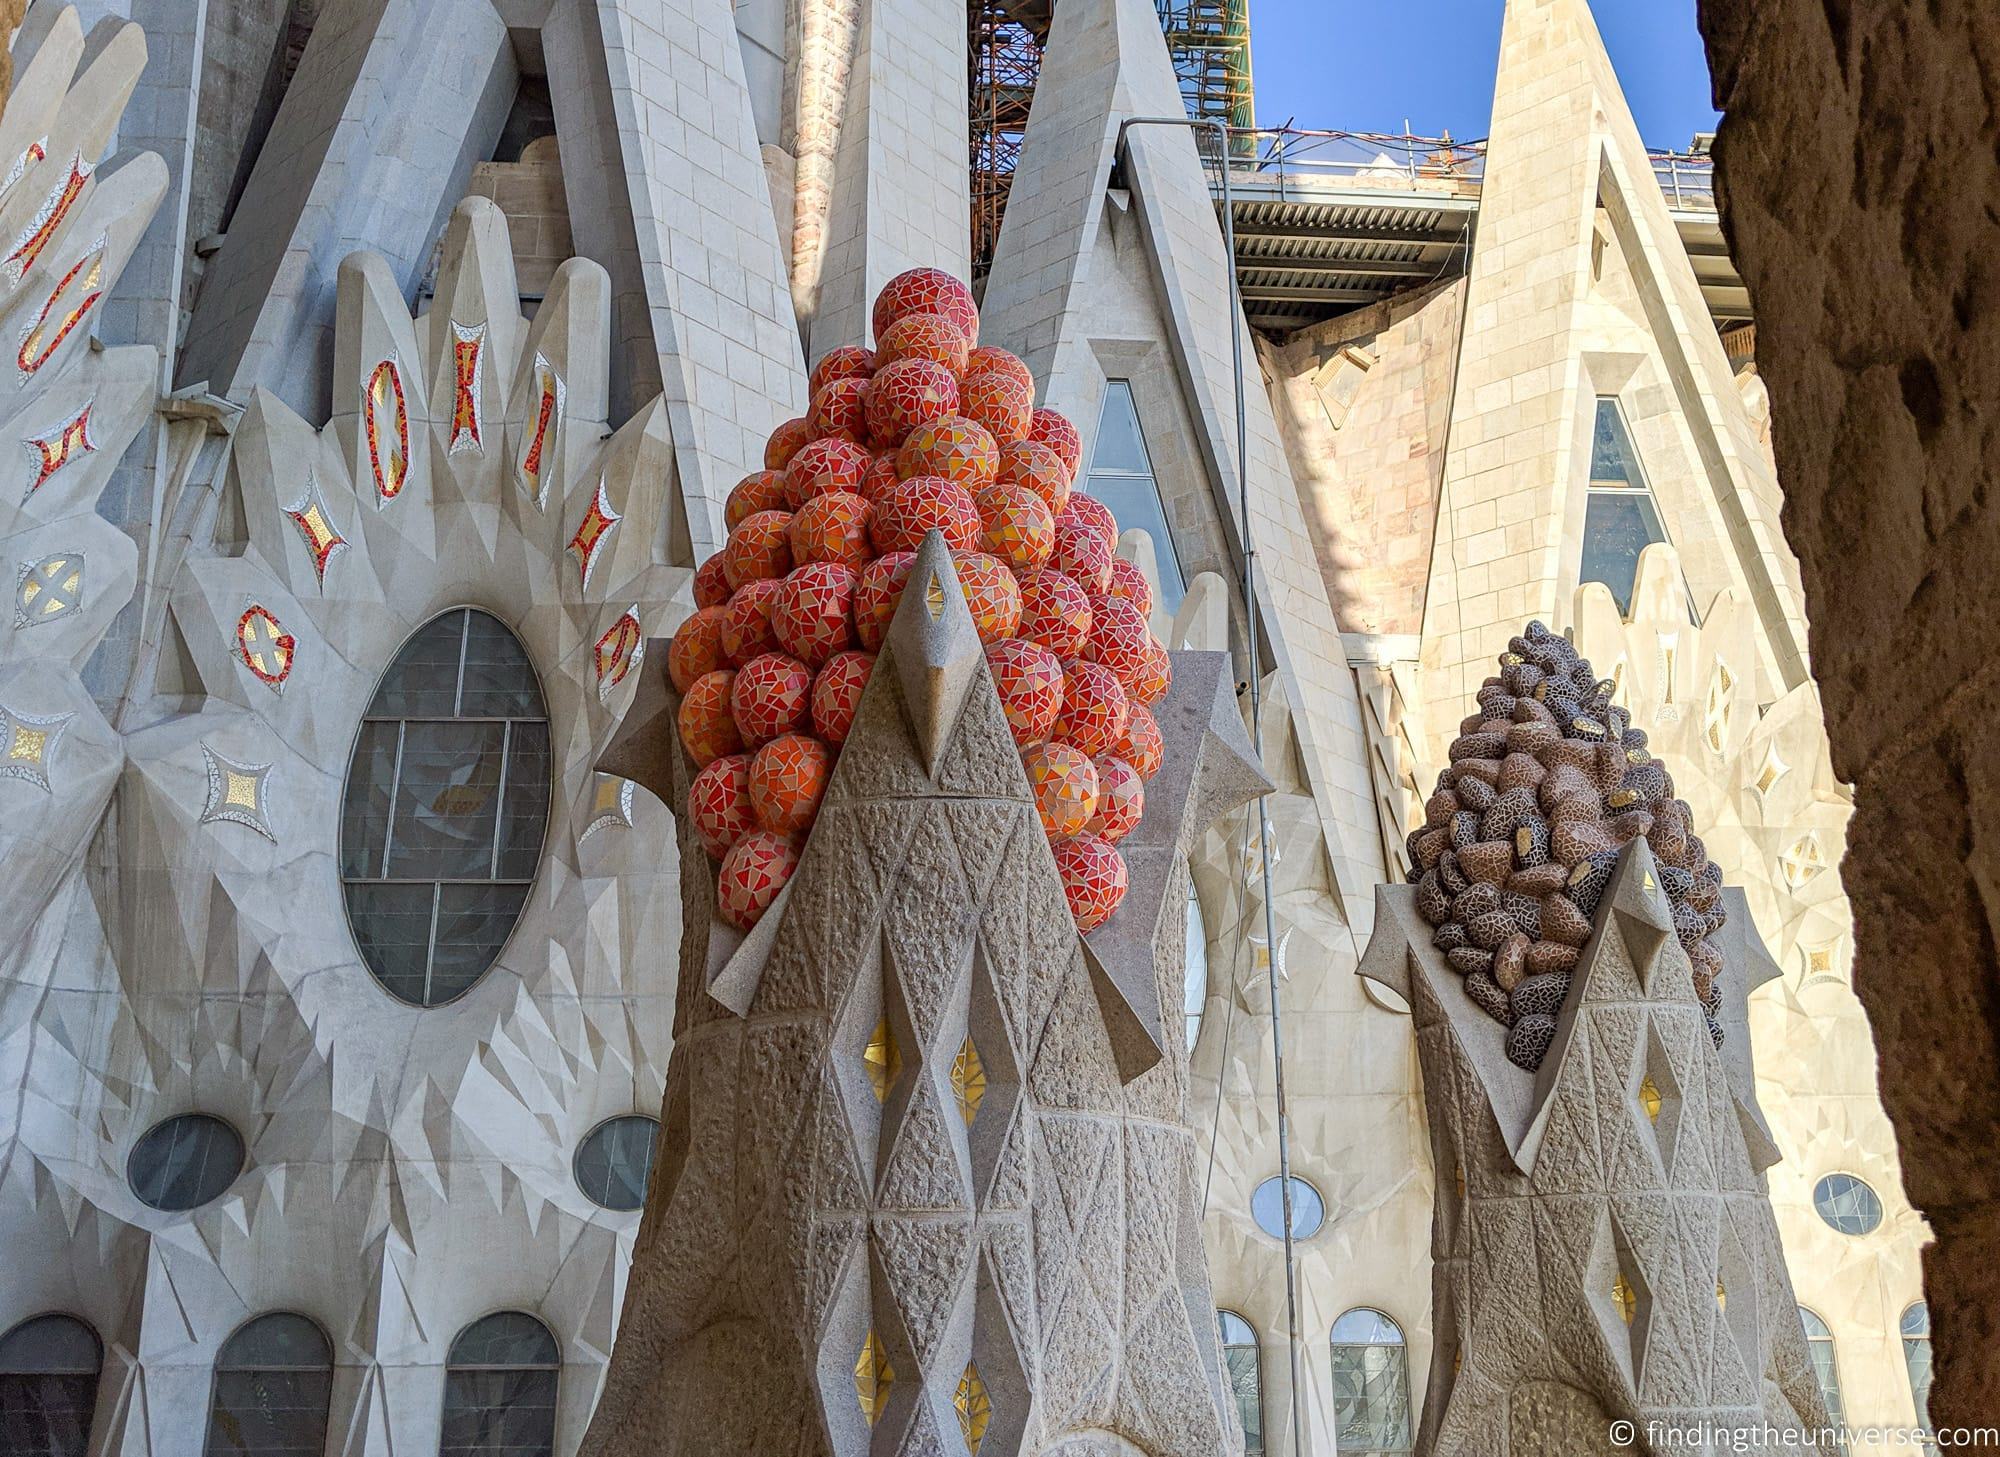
(383, 377)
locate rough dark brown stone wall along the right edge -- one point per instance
(1863, 189)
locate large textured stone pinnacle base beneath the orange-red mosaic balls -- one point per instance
(925, 1182)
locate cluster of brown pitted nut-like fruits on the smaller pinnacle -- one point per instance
(1545, 786)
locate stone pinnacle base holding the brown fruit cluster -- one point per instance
(1613, 1254)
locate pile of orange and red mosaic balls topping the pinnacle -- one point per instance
(927, 431)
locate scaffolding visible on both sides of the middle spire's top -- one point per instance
(1207, 39)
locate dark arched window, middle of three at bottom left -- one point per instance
(275, 1382)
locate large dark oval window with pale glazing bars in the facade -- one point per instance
(447, 808)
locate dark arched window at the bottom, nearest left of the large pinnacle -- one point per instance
(501, 1390)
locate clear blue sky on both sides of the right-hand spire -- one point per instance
(1369, 65)
